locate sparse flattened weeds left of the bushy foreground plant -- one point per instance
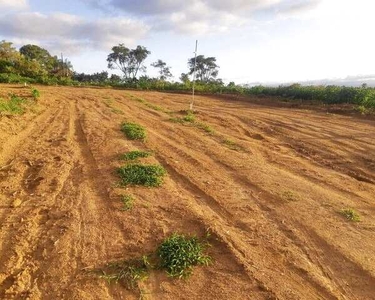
(129, 273)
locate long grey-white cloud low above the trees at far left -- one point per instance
(70, 33)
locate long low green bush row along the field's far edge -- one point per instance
(361, 96)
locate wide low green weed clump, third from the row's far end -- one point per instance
(146, 175)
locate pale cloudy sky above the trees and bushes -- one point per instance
(265, 41)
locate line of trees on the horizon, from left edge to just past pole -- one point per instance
(33, 61)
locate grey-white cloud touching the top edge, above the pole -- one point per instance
(201, 17)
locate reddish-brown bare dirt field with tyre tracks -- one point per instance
(269, 183)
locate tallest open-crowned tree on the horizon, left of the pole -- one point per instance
(128, 61)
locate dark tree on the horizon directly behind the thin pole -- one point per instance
(206, 68)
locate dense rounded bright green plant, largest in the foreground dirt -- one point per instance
(178, 254)
